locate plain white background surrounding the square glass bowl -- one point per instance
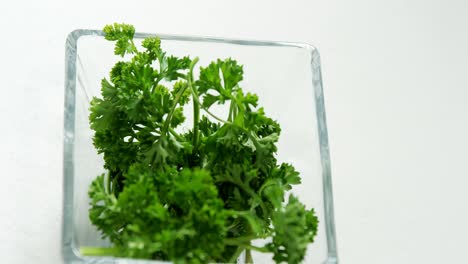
(396, 86)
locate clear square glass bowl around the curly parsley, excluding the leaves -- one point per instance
(285, 76)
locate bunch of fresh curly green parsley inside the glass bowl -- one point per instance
(194, 197)
